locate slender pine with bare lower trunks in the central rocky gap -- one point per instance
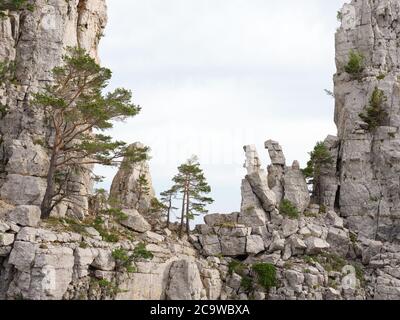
(191, 182)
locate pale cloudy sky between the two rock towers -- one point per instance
(214, 75)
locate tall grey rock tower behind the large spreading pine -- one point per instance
(36, 41)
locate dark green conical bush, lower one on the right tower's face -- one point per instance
(374, 114)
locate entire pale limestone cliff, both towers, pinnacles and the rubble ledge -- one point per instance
(341, 244)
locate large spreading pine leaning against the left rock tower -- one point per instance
(77, 112)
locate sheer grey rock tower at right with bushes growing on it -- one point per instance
(368, 167)
